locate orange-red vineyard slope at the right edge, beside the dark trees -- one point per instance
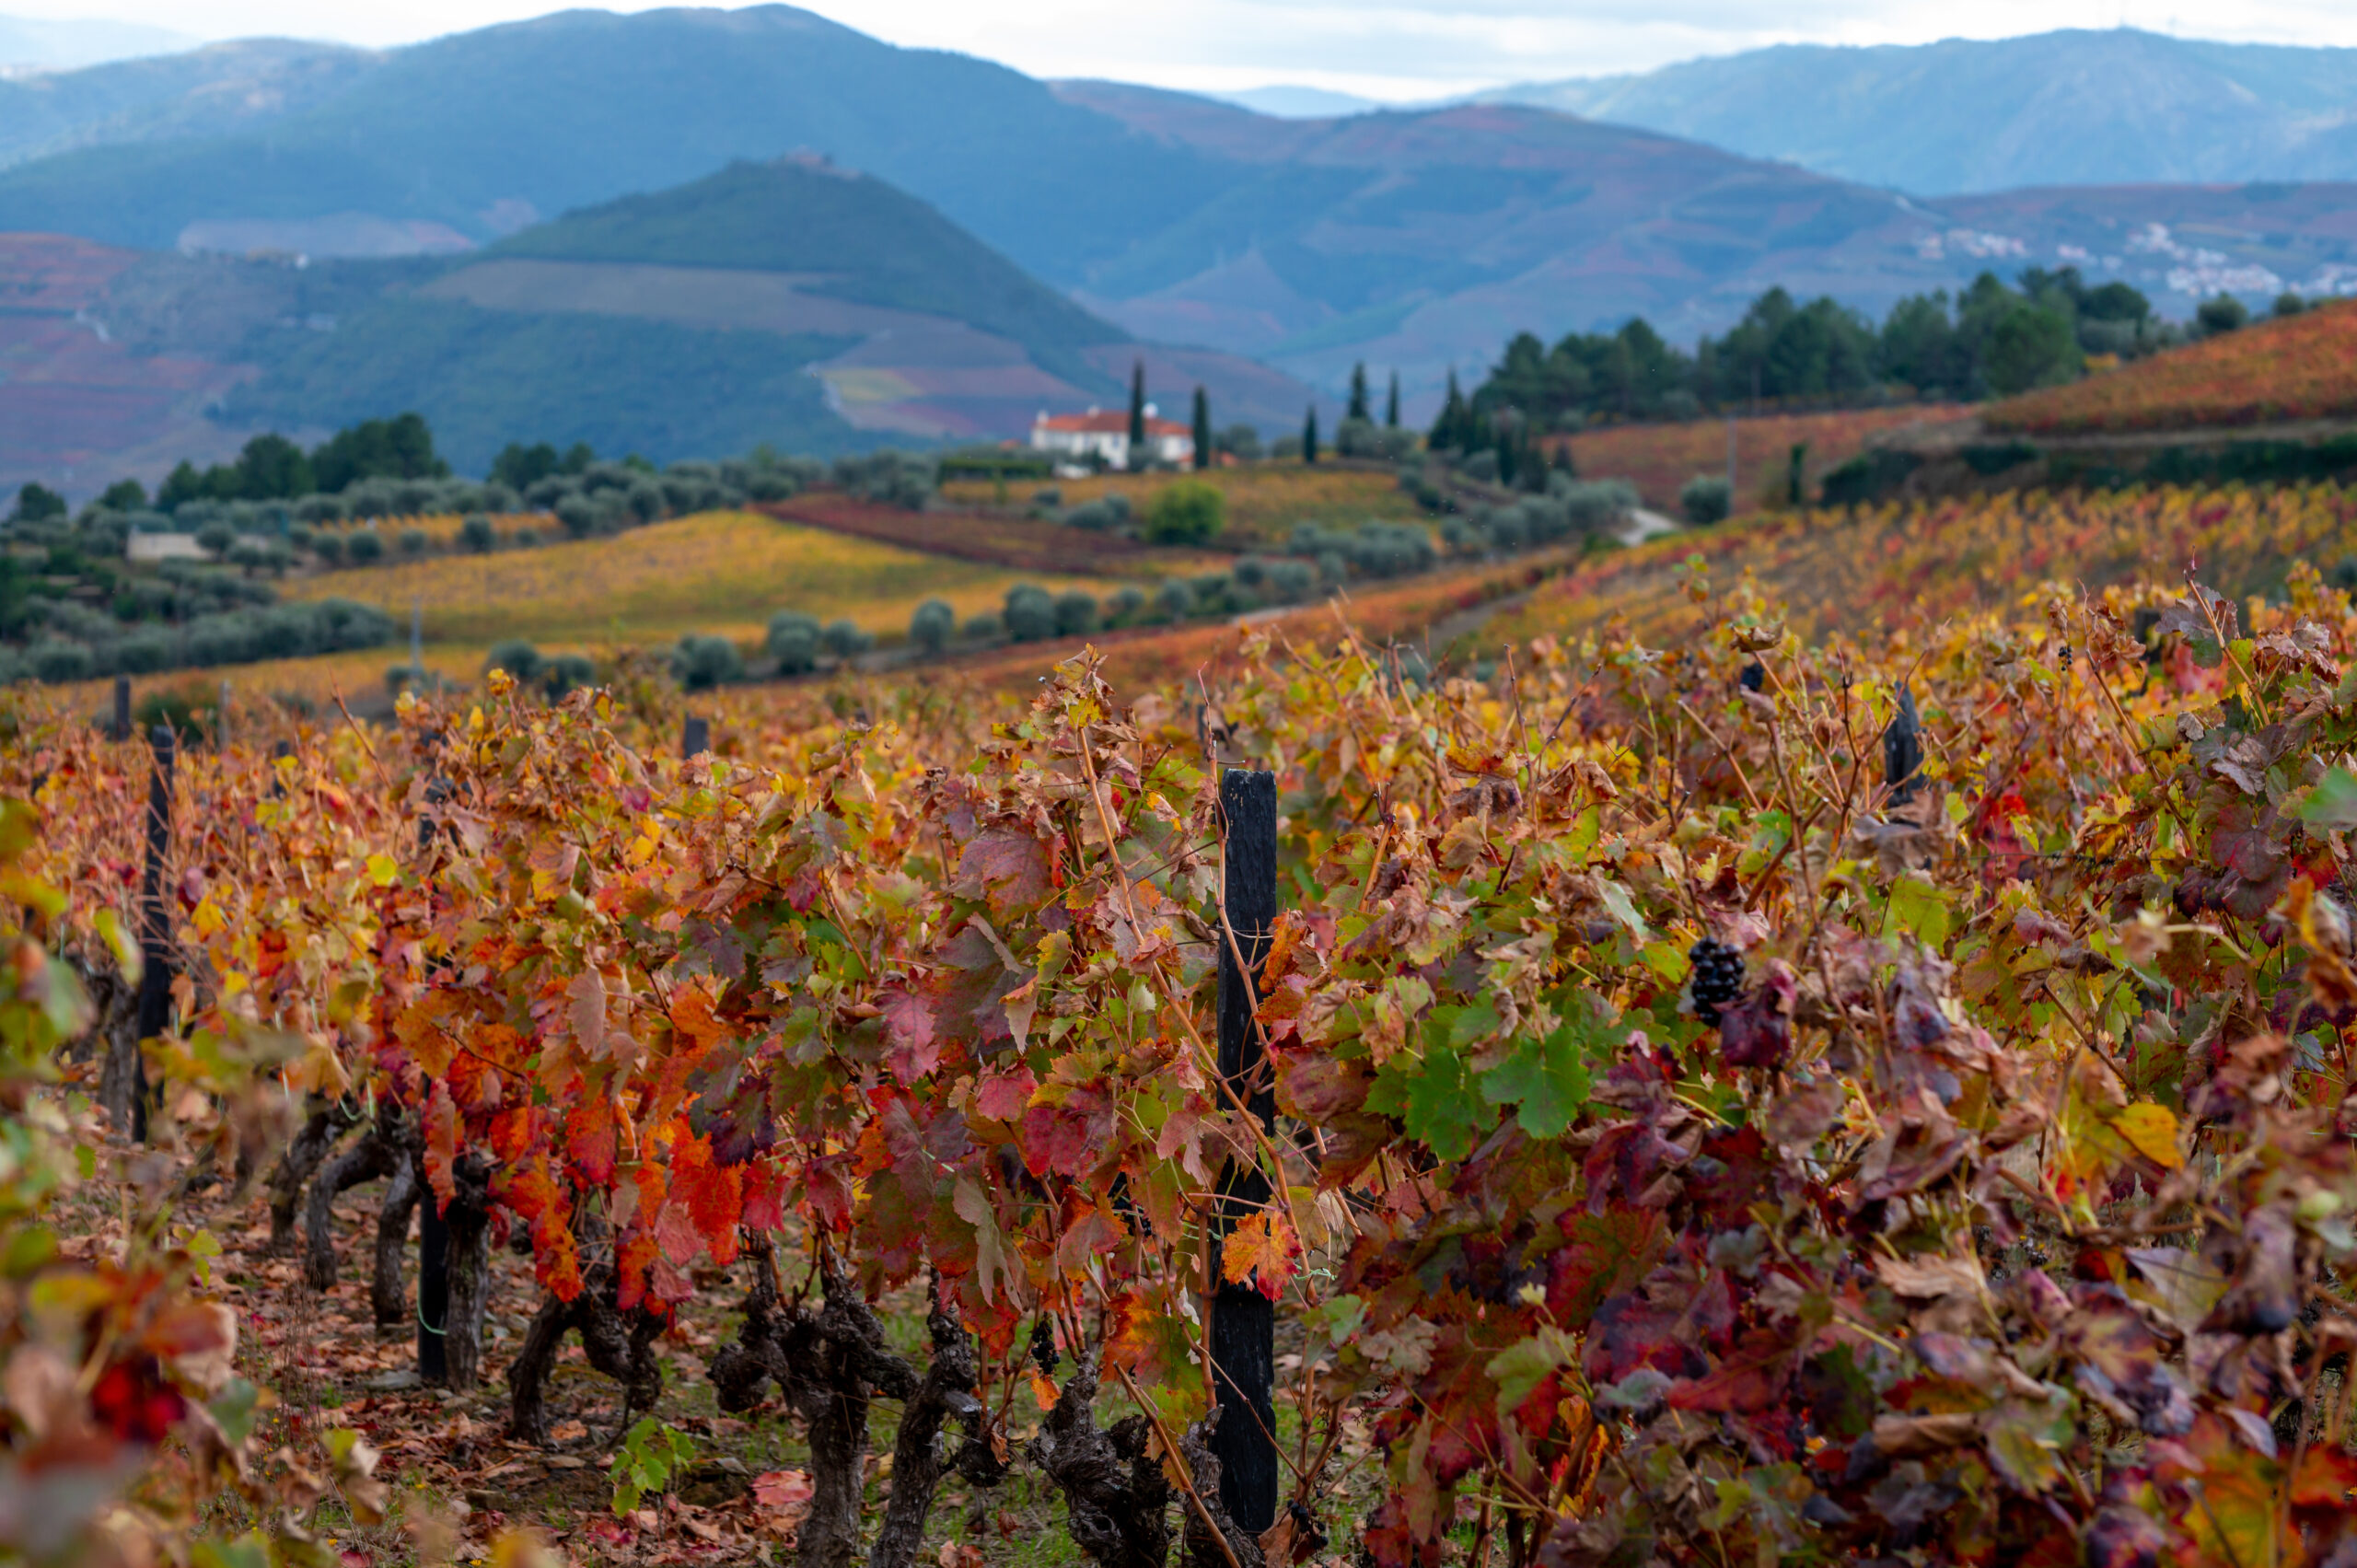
(2292, 369)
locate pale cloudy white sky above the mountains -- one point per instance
(1397, 51)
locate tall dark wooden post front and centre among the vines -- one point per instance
(1243, 1322)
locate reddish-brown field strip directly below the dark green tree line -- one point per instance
(1661, 459)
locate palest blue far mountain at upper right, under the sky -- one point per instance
(2073, 107)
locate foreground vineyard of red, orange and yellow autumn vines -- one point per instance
(1800, 1060)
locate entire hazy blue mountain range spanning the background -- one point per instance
(1406, 239)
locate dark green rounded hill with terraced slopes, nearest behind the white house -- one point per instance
(786, 303)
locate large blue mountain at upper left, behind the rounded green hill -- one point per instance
(484, 133)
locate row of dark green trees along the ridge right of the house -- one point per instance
(1986, 341)
